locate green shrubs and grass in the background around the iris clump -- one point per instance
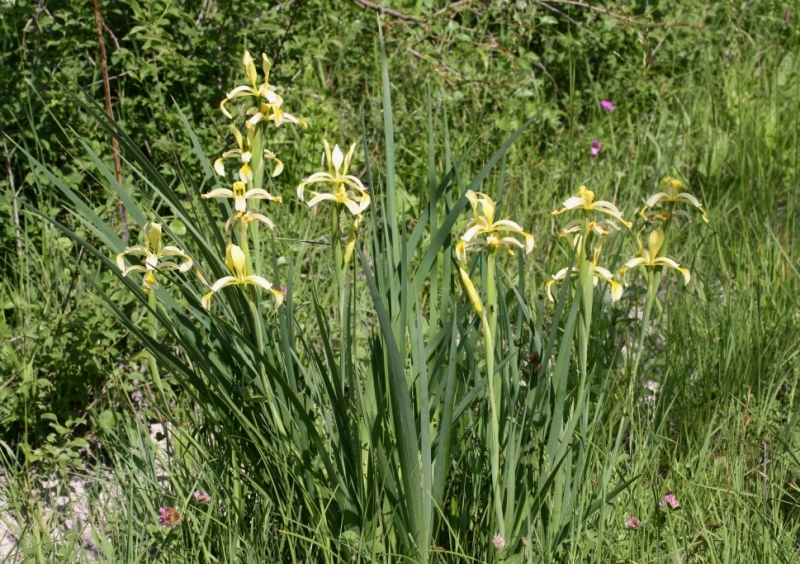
(707, 91)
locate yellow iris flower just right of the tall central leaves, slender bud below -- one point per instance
(483, 231)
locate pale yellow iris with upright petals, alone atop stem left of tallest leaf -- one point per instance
(349, 191)
